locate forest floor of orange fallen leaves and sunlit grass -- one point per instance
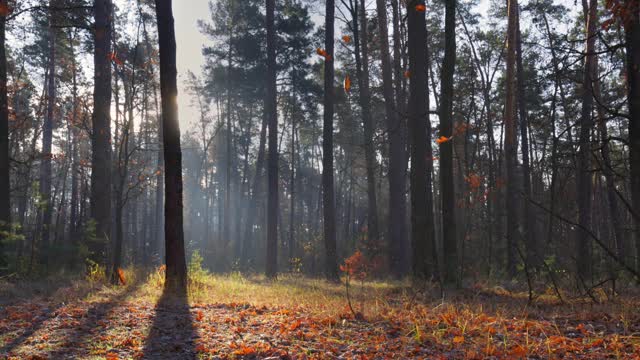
(232, 316)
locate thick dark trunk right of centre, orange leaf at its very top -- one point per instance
(422, 226)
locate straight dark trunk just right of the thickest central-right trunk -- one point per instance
(447, 183)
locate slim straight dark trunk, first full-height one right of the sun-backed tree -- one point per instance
(272, 169)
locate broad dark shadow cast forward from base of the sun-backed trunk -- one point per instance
(172, 334)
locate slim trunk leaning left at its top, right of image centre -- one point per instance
(361, 39)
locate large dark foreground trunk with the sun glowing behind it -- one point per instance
(176, 272)
